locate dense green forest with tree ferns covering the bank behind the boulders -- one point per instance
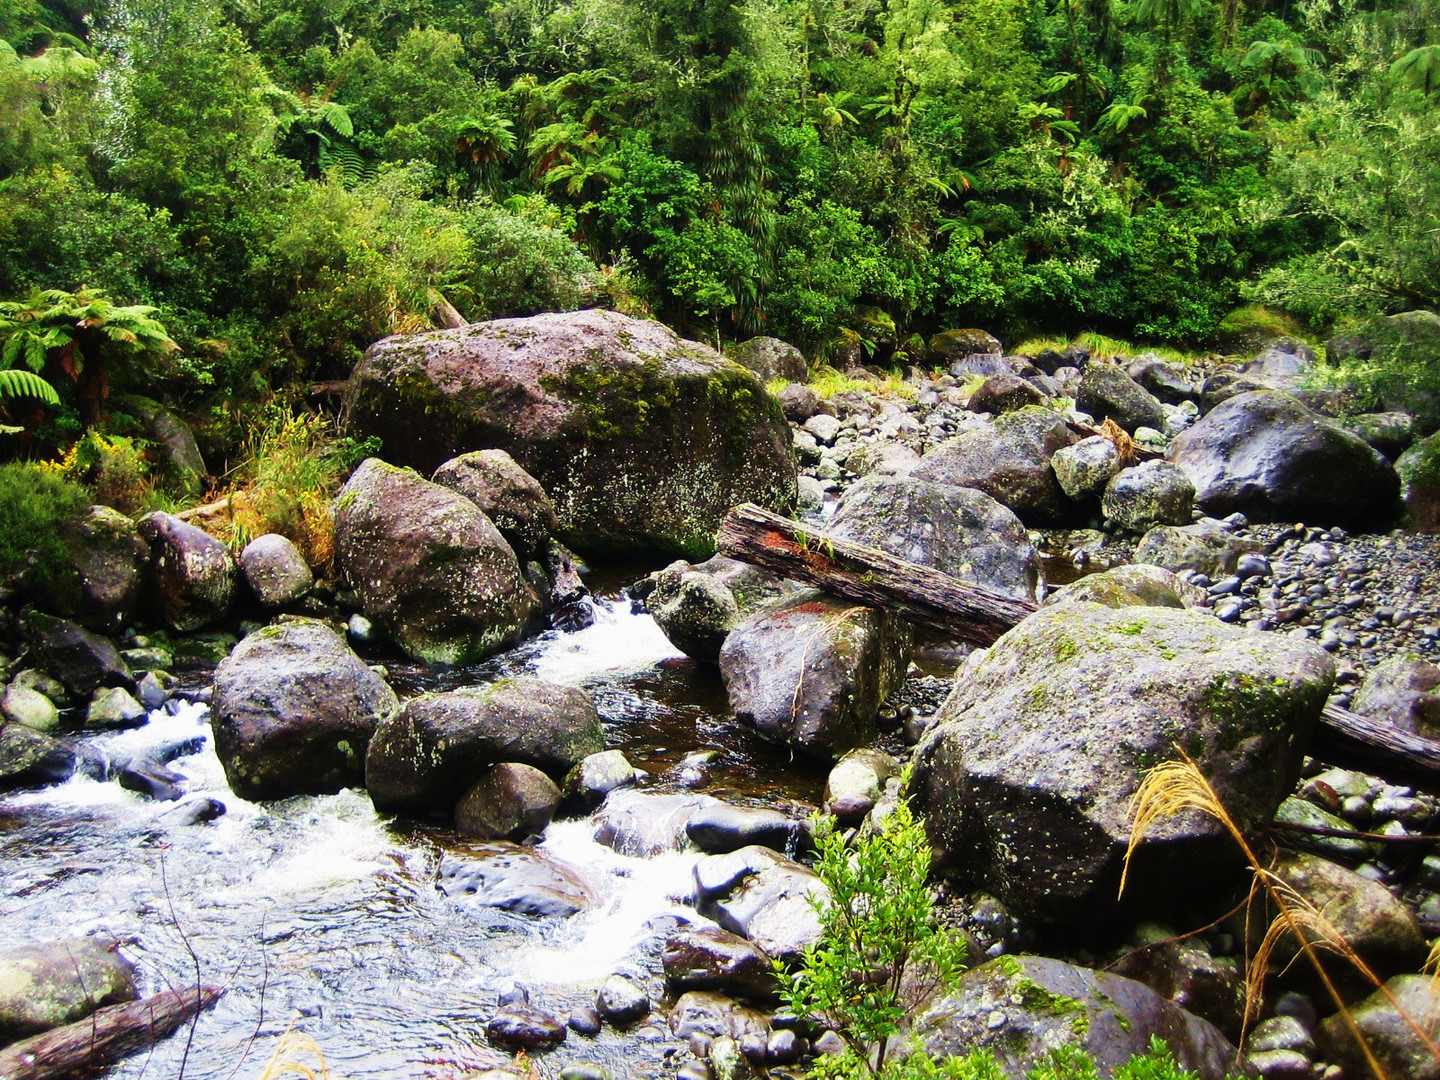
(287, 182)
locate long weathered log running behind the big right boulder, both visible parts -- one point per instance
(978, 617)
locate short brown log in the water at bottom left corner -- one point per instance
(104, 1038)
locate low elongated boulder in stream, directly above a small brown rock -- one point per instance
(437, 747)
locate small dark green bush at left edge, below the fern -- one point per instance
(35, 509)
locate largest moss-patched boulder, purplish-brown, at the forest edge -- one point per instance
(642, 438)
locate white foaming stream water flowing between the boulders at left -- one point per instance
(319, 909)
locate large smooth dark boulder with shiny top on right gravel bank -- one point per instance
(1271, 459)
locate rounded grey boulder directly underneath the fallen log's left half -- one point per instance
(813, 672)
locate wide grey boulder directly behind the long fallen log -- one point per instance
(960, 532)
